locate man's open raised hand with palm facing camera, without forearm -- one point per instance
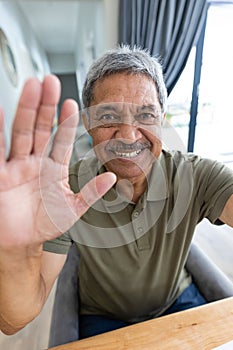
(36, 203)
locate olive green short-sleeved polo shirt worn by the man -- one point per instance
(132, 256)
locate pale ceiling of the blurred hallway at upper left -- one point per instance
(56, 21)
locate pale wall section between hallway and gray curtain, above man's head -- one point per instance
(97, 31)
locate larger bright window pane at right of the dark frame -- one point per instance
(215, 115)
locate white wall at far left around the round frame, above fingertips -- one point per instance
(26, 49)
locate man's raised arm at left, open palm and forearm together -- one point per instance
(36, 202)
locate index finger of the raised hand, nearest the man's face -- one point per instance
(65, 135)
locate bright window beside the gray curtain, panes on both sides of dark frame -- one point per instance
(213, 137)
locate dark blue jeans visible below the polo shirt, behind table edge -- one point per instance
(90, 325)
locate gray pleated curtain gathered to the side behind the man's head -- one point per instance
(167, 28)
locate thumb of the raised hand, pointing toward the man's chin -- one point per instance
(94, 190)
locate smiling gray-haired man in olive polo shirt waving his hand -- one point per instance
(132, 224)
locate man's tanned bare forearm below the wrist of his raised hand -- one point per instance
(32, 277)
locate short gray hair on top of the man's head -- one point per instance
(131, 61)
